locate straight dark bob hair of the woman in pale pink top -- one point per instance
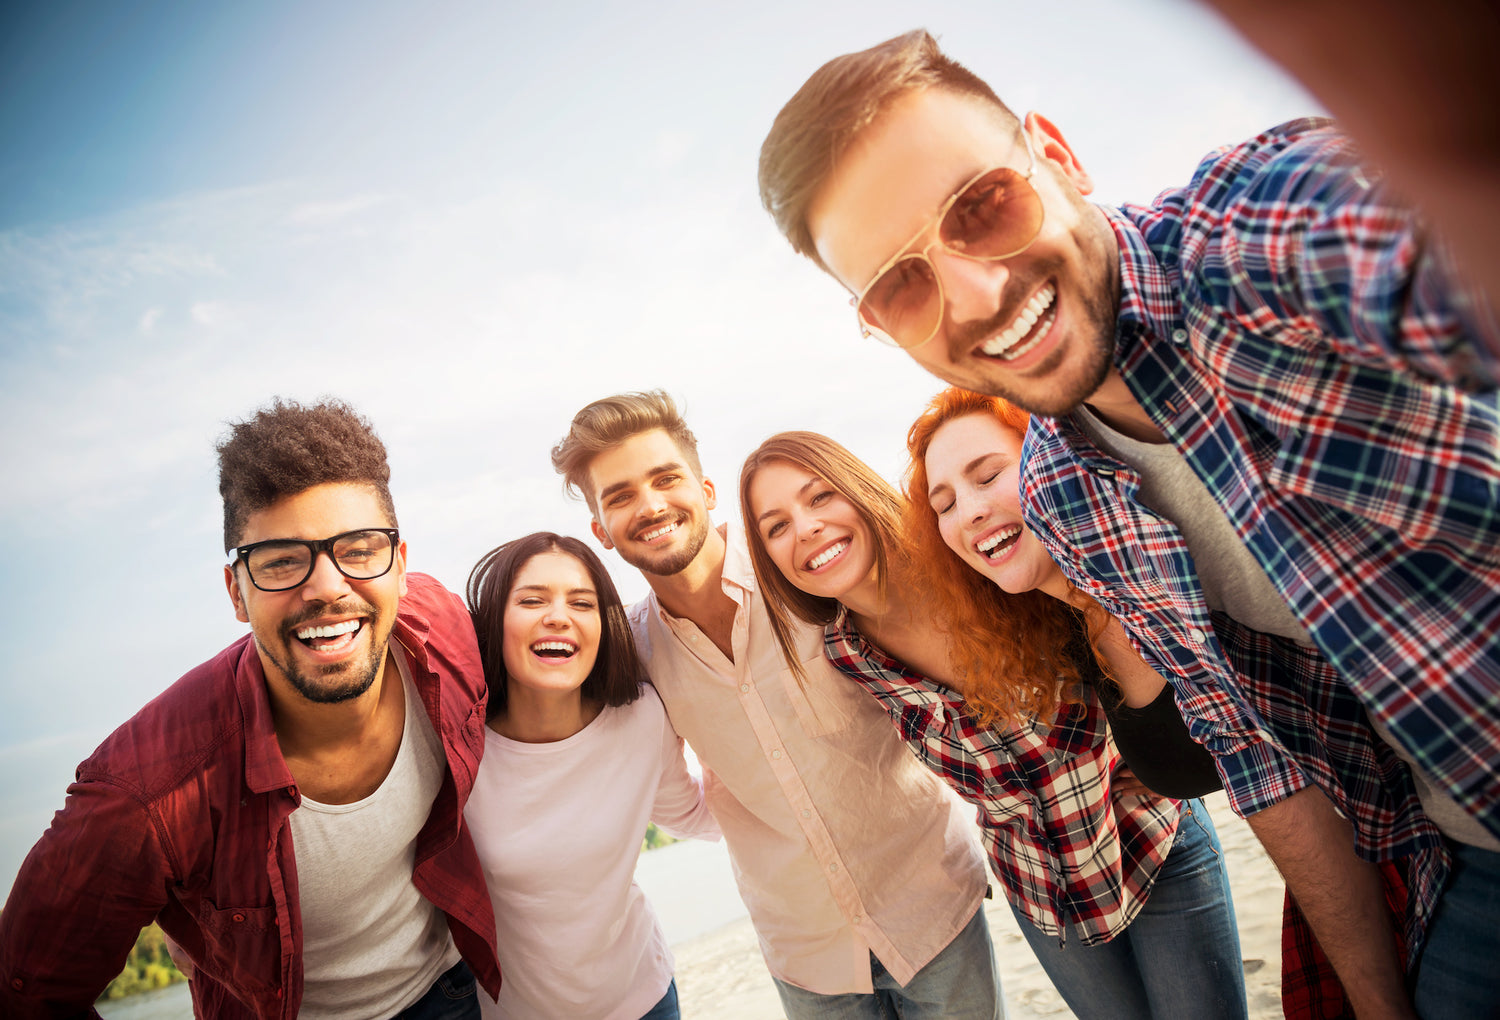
(617, 676)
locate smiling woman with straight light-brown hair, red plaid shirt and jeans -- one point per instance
(1120, 890)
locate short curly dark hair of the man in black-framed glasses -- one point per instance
(289, 448)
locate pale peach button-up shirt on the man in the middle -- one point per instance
(842, 842)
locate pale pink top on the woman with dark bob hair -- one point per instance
(559, 829)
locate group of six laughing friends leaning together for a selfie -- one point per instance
(1213, 502)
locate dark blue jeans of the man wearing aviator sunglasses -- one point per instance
(1457, 974)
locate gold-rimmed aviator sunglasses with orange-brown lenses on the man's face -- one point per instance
(997, 215)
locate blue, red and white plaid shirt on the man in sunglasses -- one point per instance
(1286, 329)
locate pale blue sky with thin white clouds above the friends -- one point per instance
(467, 220)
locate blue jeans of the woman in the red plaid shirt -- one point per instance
(1180, 958)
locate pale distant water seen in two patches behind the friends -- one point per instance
(691, 884)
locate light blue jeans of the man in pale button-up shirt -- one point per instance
(961, 983)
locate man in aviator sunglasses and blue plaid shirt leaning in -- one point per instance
(1267, 434)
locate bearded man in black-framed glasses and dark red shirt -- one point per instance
(290, 812)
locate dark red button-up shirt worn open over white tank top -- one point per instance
(181, 818)
